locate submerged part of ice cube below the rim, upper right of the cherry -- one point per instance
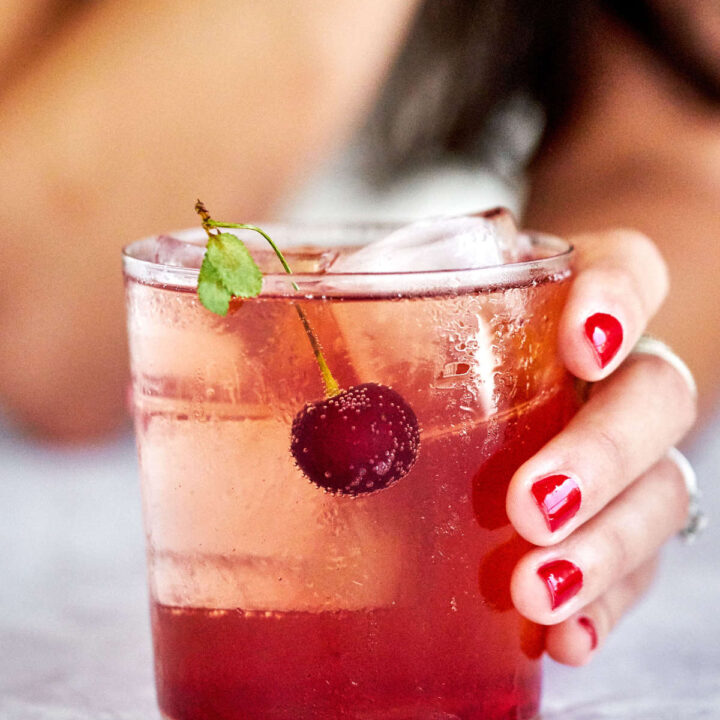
(437, 352)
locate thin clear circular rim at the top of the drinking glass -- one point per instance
(279, 283)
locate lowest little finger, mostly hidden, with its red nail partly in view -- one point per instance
(575, 640)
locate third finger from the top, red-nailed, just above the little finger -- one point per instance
(548, 585)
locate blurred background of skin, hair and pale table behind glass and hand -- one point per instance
(114, 116)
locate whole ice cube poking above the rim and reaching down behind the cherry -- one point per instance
(439, 347)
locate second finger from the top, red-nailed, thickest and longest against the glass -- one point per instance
(631, 419)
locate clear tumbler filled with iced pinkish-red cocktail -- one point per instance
(273, 598)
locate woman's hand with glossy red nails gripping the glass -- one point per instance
(602, 497)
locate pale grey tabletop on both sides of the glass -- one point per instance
(74, 631)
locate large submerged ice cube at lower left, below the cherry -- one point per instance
(233, 523)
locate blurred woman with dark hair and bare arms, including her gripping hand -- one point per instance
(115, 115)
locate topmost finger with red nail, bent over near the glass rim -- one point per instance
(621, 281)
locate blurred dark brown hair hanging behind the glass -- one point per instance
(471, 68)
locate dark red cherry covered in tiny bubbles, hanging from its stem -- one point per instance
(363, 439)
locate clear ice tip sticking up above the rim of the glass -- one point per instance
(444, 243)
